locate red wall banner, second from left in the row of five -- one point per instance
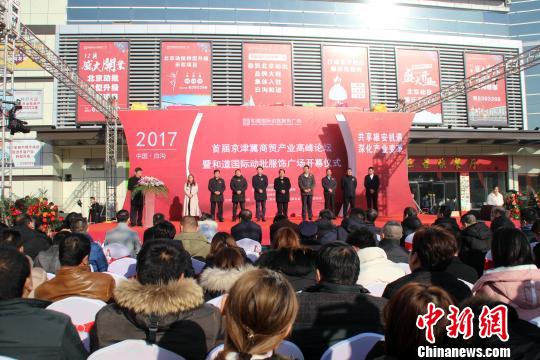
(186, 73)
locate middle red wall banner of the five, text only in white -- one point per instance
(267, 72)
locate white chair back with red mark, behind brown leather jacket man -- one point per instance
(82, 312)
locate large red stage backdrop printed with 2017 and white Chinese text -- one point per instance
(187, 141)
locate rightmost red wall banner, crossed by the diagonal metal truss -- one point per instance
(418, 77)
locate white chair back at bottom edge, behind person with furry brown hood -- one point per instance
(134, 350)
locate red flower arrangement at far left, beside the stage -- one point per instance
(44, 211)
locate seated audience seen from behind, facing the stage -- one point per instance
(313, 286)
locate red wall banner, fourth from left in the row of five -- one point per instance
(345, 76)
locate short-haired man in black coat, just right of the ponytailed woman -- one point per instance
(336, 308)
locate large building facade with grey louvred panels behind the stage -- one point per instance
(71, 165)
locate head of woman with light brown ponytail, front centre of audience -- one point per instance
(259, 314)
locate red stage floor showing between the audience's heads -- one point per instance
(98, 230)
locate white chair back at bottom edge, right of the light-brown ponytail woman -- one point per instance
(356, 347)
